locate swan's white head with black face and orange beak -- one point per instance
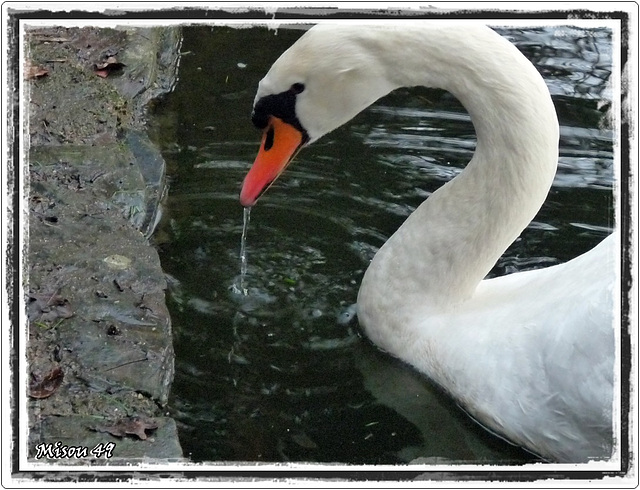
(327, 77)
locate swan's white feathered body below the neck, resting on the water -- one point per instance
(531, 355)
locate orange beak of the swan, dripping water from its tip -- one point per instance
(280, 143)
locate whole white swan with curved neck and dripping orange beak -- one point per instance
(529, 355)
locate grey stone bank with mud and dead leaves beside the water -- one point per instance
(99, 347)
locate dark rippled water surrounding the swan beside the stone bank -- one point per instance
(283, 373)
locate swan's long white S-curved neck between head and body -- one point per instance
(449, 244)
